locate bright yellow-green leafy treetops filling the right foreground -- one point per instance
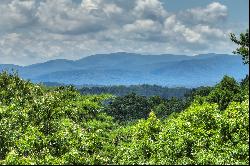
(202, 134)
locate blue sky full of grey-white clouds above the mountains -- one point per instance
(37, 31)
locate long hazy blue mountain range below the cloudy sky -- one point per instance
(128, 68)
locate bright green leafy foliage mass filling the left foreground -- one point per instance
(50, 126)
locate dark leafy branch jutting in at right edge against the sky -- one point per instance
(243, 42)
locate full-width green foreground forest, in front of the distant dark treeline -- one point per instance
(59, 125)
